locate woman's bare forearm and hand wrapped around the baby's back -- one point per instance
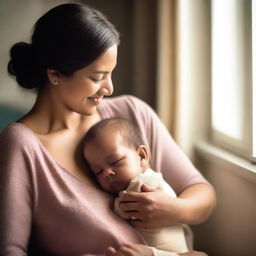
(152, 208)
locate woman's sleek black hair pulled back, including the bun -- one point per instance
(66, 38)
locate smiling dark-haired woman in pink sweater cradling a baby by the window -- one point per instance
(50, 205)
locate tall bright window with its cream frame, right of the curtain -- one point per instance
(233, 96)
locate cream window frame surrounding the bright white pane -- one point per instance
(242, 147)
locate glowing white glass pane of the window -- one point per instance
(227, 68)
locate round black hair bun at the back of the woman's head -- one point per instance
(23, 65)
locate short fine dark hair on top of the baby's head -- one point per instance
(129, 132)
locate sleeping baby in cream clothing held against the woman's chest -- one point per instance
(116, 155)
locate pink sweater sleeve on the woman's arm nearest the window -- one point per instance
(166, 156)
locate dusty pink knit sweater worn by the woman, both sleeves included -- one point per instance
(45, 210)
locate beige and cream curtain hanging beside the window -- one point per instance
(184, 68)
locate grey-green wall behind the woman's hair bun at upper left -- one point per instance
(16, 22)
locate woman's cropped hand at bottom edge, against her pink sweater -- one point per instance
(131, 250)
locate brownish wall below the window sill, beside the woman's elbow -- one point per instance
(231, 230)
